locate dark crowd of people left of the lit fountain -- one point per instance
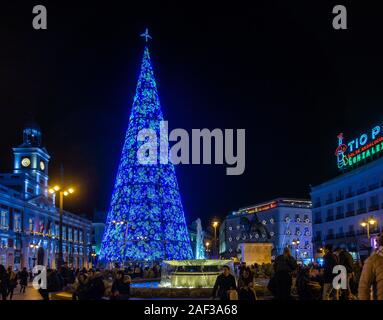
(92, 284)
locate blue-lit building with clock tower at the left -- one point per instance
(29, 218)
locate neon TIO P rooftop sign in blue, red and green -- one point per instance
(360, 149)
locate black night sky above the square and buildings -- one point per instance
(276, 68)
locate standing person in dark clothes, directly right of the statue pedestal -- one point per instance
(284, 266)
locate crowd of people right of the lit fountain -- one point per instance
(291, 280)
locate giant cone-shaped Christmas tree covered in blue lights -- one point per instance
(146, 219)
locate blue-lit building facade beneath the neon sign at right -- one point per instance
(348, 207)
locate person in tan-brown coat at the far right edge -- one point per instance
(372, 275)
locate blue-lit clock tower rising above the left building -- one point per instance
(31, 159)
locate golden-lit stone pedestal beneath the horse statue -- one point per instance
(256, 253)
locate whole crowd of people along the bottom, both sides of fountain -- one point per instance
(287, 279)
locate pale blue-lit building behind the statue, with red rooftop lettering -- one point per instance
(282, 222)
